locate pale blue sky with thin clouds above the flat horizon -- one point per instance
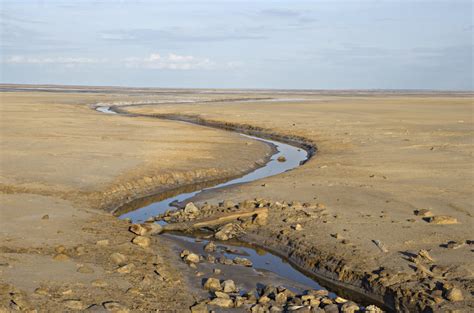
(402, 44)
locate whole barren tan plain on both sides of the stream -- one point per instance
(393, 175)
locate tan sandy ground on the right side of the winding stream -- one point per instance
(380, 158)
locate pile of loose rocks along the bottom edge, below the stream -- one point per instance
(269, 298)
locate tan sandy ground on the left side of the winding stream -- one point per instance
(60, 163)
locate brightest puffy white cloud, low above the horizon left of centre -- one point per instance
(170, 62)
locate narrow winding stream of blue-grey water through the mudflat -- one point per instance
(267, 267)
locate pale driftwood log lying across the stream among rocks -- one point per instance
(217, 220)
